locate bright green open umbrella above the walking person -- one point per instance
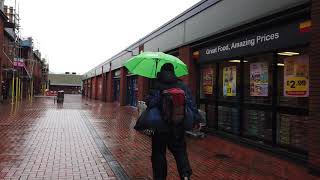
(148, 64)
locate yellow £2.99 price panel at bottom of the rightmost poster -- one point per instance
(296, 86)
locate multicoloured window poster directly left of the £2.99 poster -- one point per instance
(259, 79)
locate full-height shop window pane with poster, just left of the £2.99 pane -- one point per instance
(257, 89)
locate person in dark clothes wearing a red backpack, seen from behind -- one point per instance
(172, 97)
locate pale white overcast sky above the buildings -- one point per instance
(77, 35)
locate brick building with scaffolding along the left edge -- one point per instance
(23, 73)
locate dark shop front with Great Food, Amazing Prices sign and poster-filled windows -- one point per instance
(254, 86)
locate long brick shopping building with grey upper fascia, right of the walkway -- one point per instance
(254, 69)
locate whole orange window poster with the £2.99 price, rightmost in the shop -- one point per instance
(296, 76)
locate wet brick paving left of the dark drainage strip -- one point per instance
(43, 141)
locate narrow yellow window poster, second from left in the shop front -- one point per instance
(230, 81)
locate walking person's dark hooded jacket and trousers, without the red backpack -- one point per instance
(174, 136)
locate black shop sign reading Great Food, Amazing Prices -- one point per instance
(281, 36)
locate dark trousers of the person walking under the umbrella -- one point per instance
(176, 143)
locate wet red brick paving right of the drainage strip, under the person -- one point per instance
(132, 149)
